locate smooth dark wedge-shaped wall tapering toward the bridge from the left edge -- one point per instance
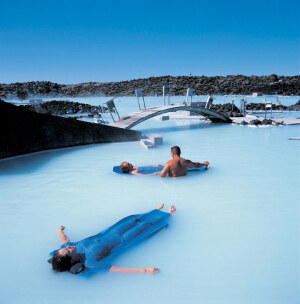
(23, 131)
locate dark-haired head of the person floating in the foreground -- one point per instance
(65, 258)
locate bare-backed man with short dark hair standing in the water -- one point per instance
(178, 166)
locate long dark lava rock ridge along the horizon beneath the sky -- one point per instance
(232, 84)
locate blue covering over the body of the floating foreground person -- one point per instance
(98, 250)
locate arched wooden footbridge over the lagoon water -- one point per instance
(135, 118)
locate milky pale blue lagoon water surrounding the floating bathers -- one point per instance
(234, 238)
